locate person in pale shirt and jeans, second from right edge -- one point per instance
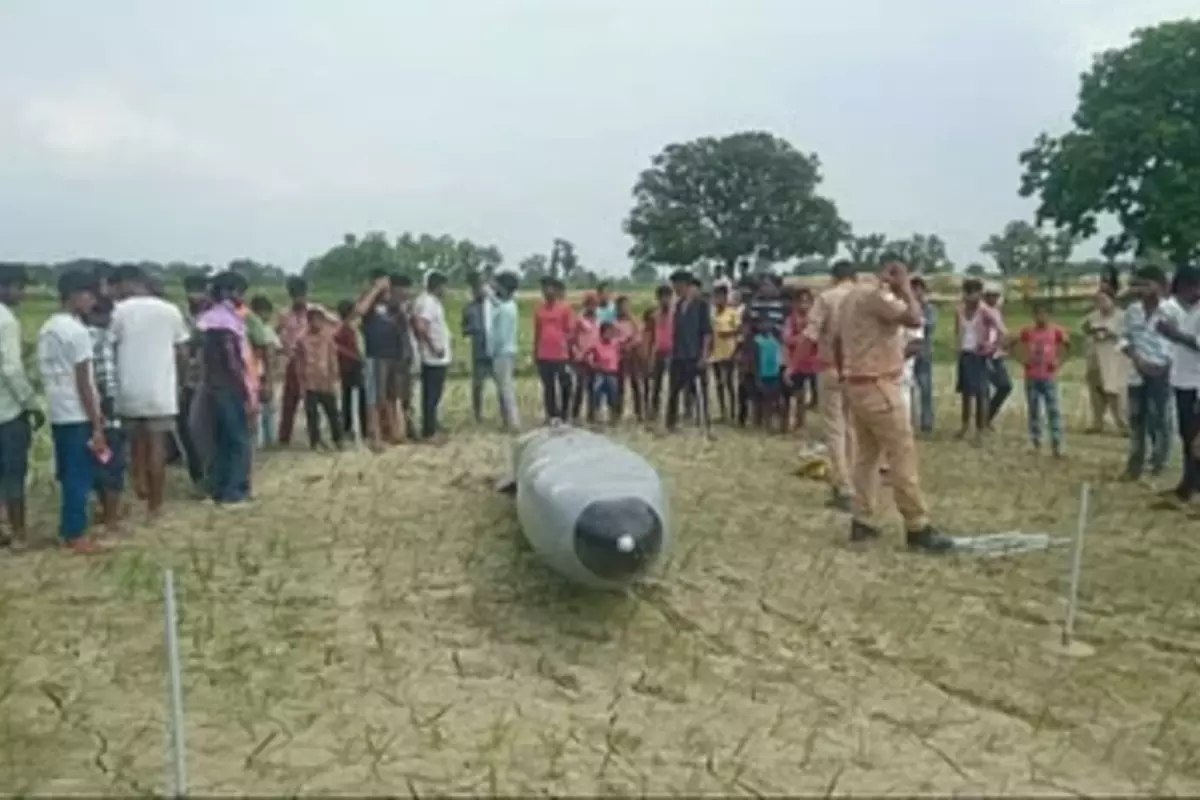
(1150, 389)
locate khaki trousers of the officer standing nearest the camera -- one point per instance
(884, 431)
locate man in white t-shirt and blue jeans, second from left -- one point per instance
(77, 426)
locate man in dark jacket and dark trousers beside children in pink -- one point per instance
(691, 344)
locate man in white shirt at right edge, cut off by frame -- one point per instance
(1181, 326)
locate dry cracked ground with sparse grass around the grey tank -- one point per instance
(376, 624)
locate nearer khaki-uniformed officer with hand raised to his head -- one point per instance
(869, 346)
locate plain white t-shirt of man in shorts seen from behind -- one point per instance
(147, 333)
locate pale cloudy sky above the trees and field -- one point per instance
(177, 130)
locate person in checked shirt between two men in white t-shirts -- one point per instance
(109, 474)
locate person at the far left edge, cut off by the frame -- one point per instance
(20, 416)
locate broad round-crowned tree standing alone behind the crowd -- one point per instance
(743, 195)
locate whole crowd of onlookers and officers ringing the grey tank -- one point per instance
(128, 375)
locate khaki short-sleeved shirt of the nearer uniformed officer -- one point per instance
(872, 335)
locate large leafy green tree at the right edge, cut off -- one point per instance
(1135, 152)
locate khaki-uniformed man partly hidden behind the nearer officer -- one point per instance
(839, 440)
